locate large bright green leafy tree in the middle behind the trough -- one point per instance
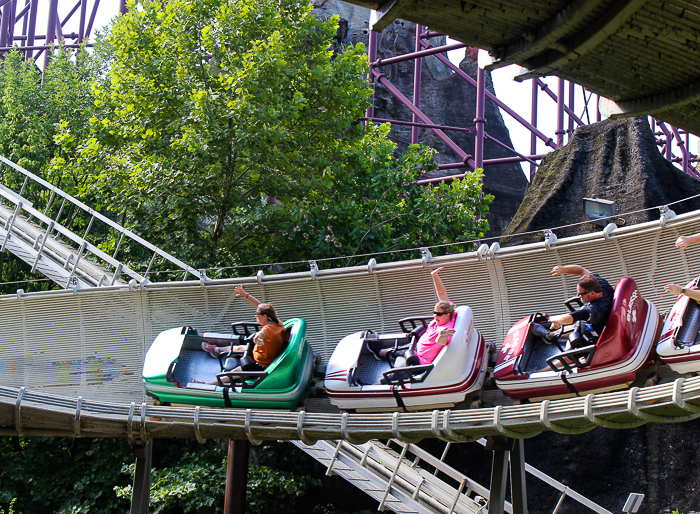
(221, 126)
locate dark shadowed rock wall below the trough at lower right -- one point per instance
(605, 465)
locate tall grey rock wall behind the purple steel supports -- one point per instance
(445, 98)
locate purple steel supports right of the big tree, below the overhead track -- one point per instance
(668, 137)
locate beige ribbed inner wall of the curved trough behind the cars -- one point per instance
(91, 342)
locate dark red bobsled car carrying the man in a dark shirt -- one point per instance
(529, 367)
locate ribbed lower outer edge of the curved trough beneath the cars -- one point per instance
(27, 413)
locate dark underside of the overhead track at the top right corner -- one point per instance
(642, 55)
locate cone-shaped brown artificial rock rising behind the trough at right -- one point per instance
(611, 160)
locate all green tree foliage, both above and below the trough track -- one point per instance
(226, 133)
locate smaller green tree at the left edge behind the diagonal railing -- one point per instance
(31, 114)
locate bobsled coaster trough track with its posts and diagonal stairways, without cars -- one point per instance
(73, 357)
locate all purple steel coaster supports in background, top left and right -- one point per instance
(18, 29)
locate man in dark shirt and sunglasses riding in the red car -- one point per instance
(594, 291)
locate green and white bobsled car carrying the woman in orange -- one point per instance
(177, 370)
